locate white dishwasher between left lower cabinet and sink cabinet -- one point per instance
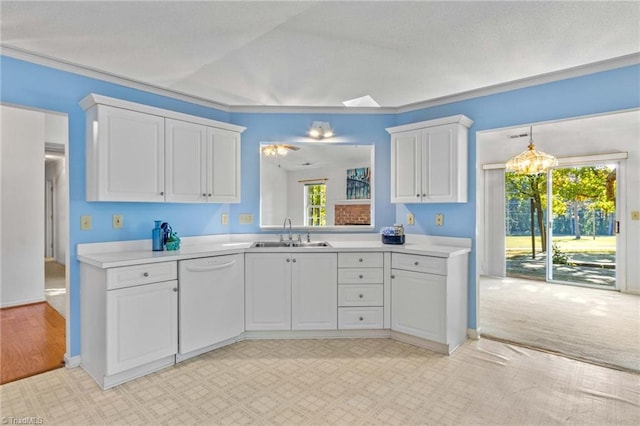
(211, 303)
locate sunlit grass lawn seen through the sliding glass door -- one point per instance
(566, 243)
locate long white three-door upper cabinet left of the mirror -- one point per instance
(141, 153)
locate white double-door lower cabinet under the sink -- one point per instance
(290, 291)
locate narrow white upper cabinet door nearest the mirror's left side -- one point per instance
(223, 176)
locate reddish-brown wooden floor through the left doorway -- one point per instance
(32, 341)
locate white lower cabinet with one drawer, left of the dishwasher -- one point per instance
(129, 318)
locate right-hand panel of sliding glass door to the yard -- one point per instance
(582, 226)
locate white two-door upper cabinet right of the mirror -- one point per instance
(429, 161)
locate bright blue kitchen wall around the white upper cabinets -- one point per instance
(36, 86)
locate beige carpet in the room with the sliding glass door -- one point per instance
(601, 326)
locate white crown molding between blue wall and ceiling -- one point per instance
(591, 68)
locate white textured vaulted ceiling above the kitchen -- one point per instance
(322, 53)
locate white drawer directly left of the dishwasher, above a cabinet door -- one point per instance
(129, 276)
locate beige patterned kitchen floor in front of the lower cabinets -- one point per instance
(341, 382)
